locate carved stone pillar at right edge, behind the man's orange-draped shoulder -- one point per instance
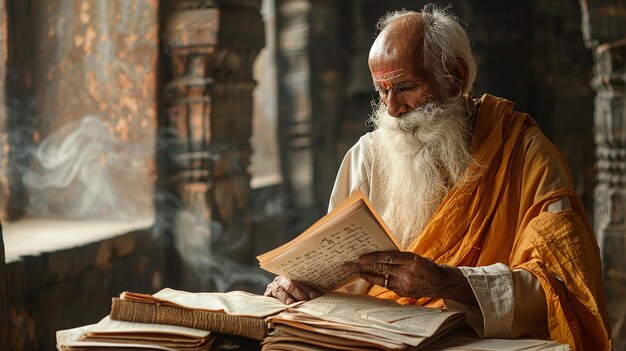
(604, 31)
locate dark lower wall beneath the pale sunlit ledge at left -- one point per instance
(73, 287)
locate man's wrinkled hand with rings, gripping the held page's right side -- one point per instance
(411, 275)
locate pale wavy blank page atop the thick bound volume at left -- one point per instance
(236, 303)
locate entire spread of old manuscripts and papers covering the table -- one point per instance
(178, 320)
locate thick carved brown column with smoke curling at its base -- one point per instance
(211, 47)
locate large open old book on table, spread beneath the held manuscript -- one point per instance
(335, 317)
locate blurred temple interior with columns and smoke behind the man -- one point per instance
(165, 143)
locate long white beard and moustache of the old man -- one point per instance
(421, 156)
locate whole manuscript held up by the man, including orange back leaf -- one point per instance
(315, 257)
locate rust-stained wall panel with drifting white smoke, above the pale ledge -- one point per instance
(83, 111)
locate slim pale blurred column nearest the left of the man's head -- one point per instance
(295, 128)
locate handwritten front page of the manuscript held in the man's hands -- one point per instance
(318, 260)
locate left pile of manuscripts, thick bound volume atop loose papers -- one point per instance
(173, 320)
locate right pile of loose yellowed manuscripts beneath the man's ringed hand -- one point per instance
(358, 322)
